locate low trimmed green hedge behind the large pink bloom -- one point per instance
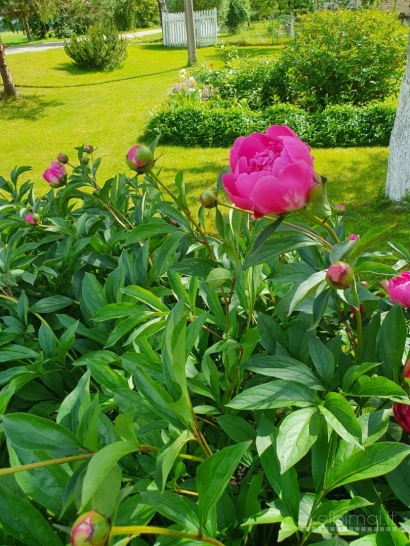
(200, 125)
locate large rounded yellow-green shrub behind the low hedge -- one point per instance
(343, 56)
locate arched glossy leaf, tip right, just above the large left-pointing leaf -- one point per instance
(283, 367)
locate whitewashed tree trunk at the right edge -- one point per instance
(398, 169)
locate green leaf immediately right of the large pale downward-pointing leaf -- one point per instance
(340, 416)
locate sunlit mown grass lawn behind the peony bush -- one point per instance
(61, 107)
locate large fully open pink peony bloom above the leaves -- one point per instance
(271, 173)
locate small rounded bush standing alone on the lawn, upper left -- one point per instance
(101, 49)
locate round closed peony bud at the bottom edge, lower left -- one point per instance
(90, 529)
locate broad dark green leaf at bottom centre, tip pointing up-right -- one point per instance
(214, 475)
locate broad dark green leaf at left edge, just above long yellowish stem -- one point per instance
(28, 431)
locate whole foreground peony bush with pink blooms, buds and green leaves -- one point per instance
(167, 384)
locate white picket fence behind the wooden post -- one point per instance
(174, 29)
